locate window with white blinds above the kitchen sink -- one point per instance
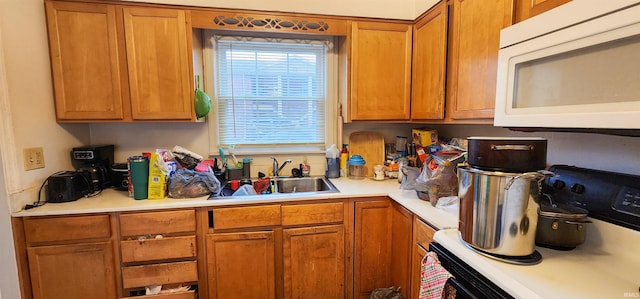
(271, 93)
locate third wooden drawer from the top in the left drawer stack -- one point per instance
(159, 274)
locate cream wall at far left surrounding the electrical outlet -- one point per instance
(28, 101)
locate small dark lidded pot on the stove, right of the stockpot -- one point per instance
(561, 226)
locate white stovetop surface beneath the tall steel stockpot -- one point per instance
(607, 265)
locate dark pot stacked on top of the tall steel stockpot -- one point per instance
(509, 154)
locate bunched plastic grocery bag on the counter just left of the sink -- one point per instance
(185, 183)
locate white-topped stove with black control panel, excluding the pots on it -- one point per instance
(604, 266)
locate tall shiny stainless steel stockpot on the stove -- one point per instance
(498, 210)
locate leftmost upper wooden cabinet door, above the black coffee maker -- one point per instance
(85, 61)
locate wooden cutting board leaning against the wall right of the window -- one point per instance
(370, 146)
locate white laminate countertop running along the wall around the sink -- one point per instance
(118, 201)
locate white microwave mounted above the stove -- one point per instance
(576, 66)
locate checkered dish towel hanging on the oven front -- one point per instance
(432, 277)
